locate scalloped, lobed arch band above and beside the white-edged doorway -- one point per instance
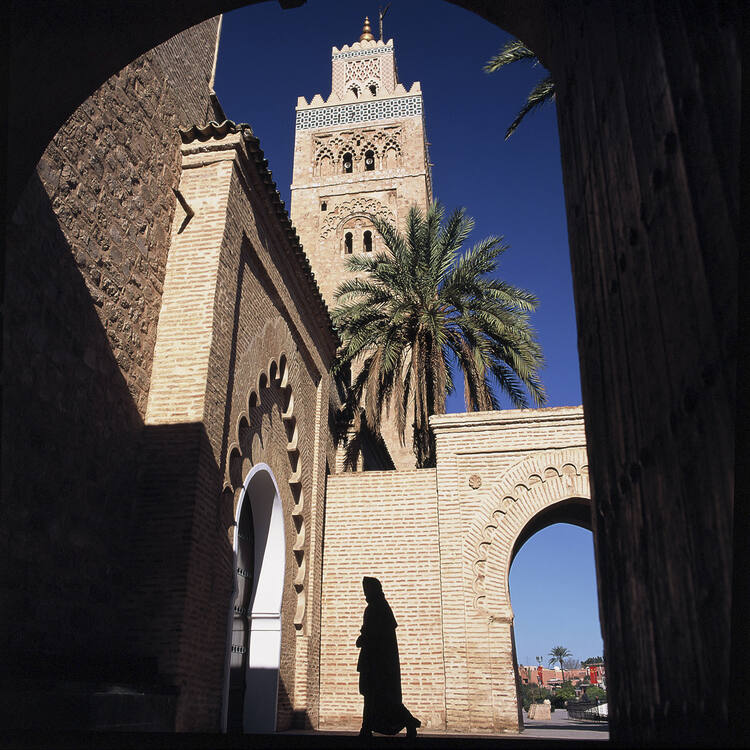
(240, 464)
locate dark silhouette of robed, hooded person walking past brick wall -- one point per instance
(379, 668)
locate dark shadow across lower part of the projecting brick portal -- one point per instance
(176, 610)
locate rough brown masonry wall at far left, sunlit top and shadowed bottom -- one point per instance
(85, 262)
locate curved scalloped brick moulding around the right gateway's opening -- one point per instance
(533, 484)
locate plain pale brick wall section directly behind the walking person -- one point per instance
(382, 524)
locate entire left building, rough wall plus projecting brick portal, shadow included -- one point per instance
(124, 460)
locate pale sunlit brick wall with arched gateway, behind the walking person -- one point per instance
(500, 477)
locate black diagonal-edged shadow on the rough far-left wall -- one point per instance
(69, 435)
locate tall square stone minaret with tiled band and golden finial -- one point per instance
(360, 151)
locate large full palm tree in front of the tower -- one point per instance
(412, 311)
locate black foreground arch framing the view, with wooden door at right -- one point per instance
(648, 109)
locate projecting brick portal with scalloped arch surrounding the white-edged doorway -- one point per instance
(241, 350)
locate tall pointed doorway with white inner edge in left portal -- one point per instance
(255, 614)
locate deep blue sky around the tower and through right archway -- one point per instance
(268, 57)
